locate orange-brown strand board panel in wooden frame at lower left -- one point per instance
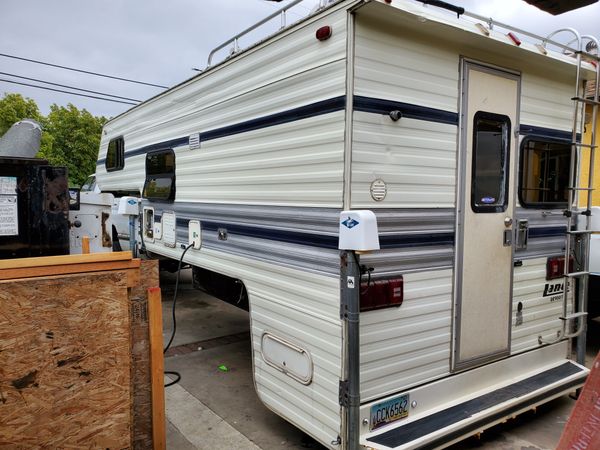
(65, 368)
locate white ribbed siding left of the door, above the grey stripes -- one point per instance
(416, 158)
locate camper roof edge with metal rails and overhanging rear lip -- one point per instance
(472, 29)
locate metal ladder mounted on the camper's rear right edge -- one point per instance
(580, 236)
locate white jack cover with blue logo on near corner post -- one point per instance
(358, 231)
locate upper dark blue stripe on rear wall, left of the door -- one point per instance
(381, 106)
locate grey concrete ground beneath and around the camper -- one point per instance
(214, 405)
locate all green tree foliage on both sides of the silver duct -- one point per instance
(70, 136)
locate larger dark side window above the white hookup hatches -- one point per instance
(160, 175)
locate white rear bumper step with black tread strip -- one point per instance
(461, 405)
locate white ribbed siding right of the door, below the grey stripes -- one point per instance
(540, 314)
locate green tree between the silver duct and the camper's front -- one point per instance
(75, 139)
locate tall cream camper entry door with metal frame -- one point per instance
(485, 209)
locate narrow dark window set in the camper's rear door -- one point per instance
(489, 181)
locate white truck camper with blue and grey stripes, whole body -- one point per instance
(445, 147)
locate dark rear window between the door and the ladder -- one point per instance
(544, 175)
